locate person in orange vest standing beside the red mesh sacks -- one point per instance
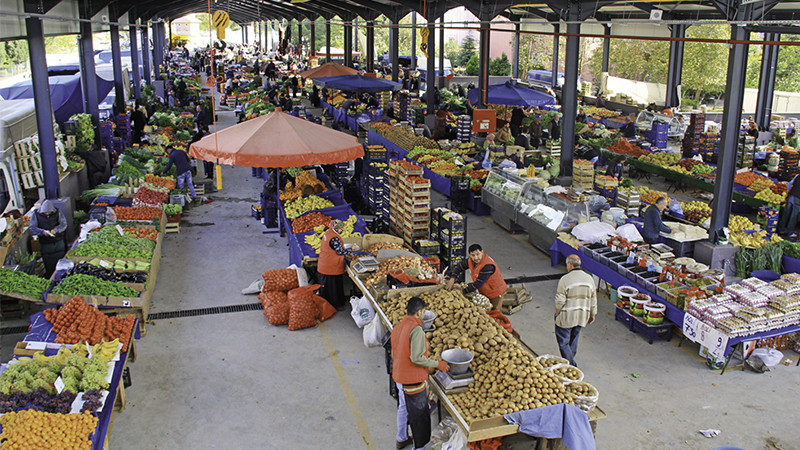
(330, 268)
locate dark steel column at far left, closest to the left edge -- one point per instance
(44, 109)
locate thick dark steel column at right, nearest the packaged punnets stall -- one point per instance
(729, 141)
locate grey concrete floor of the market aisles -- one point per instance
(233, 381)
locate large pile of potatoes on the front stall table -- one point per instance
(507, 377)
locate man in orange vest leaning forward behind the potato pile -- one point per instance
(486, 277)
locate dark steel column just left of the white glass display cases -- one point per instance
(569, 95)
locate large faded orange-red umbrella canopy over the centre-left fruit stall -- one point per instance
(277, 140)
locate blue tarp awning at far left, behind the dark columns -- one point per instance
(66, 94)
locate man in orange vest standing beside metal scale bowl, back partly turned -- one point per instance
(410, 364)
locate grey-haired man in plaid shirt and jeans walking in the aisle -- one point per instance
(576, 307)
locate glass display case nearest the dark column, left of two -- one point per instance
(501, 192)
